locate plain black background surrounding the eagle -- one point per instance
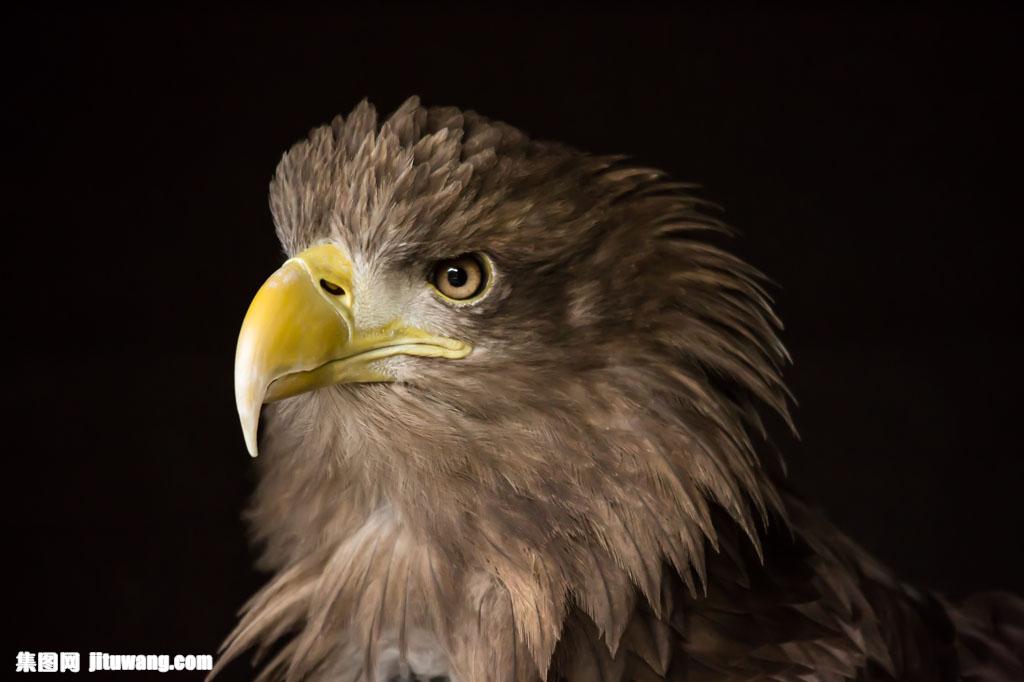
(872, 160)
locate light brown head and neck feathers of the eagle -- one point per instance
(570, 462)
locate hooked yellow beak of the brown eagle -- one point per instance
(301, 335)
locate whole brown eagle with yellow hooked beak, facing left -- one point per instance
(513, 400)
